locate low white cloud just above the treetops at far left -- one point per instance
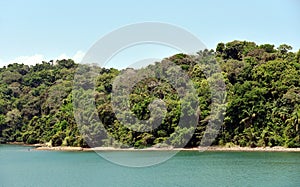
(38, 58)
